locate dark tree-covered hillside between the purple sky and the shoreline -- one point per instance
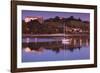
(56, 25)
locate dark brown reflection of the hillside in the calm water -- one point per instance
(56, 46)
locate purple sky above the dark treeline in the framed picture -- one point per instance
(50, 14)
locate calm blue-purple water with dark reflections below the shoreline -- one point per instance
(53, 49)
